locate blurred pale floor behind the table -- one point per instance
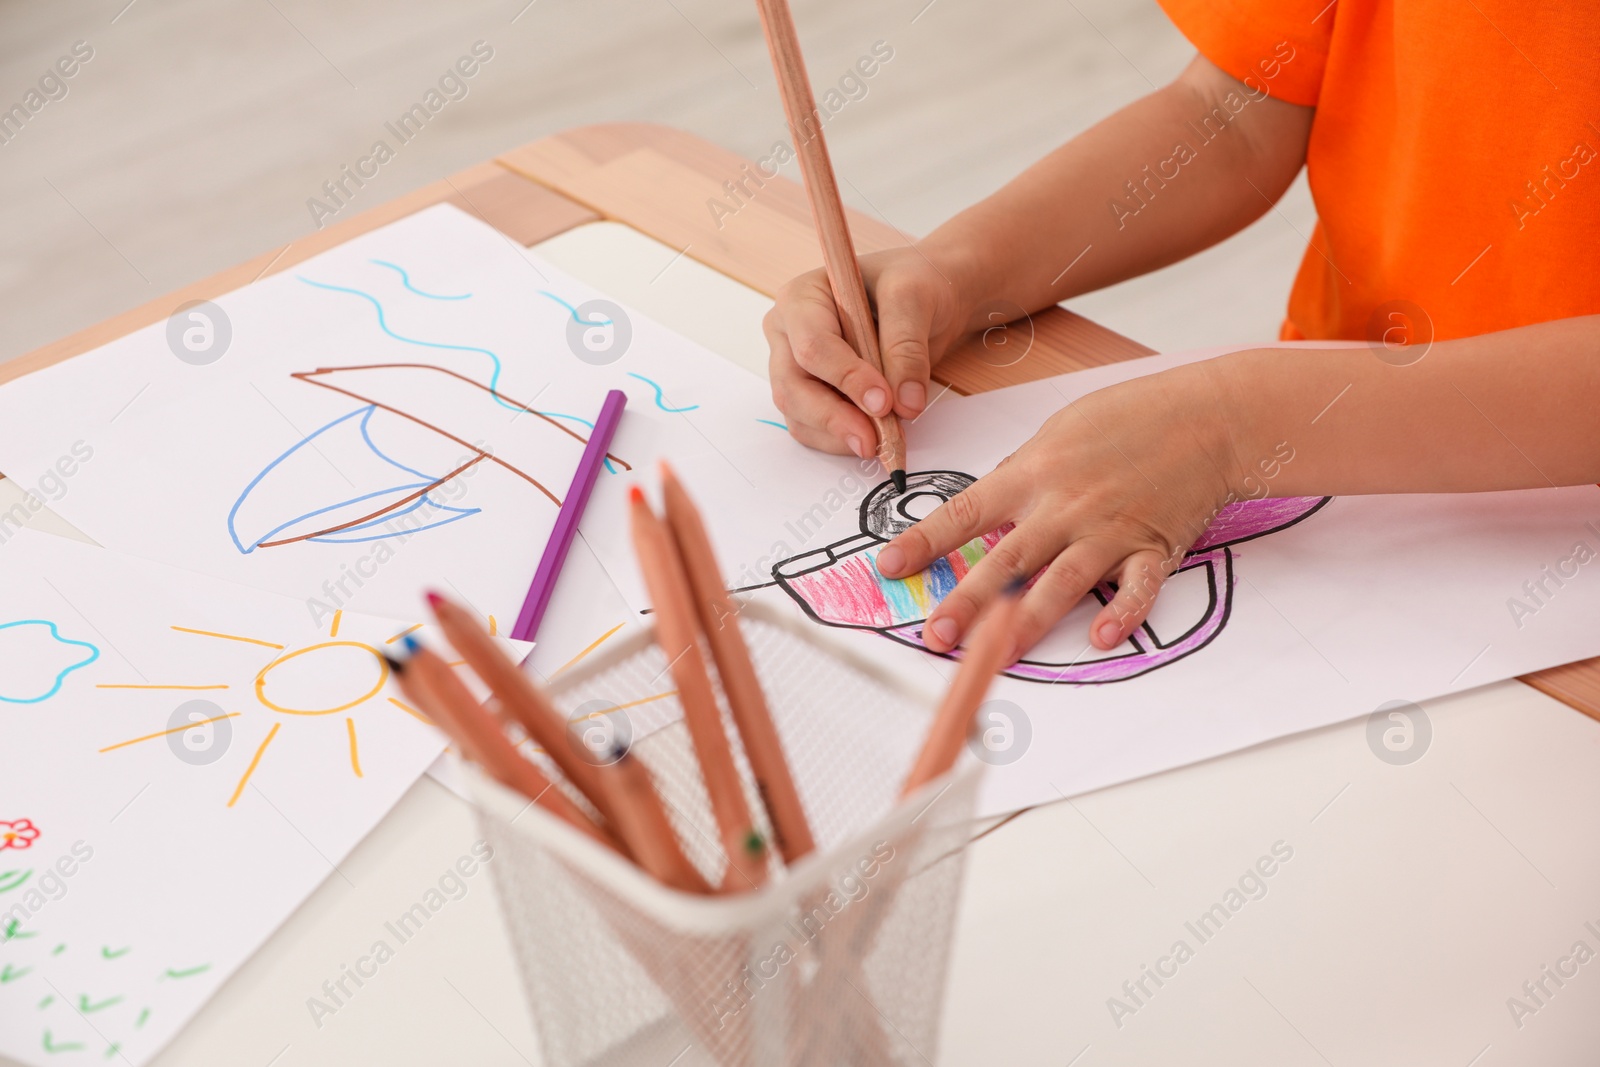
(201, 129)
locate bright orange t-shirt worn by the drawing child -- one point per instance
(1455, 154)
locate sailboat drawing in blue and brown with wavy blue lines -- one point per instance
(388, 460)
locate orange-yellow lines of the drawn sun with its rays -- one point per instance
(346, 701)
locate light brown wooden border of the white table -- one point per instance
(553, 185)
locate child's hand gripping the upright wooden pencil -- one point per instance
(820, 383)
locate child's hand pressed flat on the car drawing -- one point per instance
(1114, 487)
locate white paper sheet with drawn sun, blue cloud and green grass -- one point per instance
(183, 761)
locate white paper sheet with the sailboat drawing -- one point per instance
(364, 433)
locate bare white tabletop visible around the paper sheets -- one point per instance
(1418, 898)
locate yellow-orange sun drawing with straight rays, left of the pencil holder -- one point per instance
(359, 689)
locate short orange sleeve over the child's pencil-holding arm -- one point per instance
(1281, 46)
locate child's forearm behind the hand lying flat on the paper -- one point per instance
(1508, 410)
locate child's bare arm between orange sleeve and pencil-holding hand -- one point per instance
(1164, 178)
